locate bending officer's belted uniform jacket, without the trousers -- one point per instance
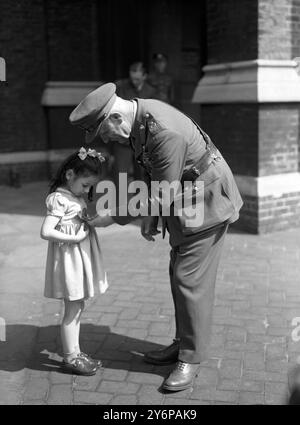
(169, 144)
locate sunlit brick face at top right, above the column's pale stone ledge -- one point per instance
(275, 29)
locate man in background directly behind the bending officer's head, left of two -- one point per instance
(129, 88)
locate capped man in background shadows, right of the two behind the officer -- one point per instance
(161, 80)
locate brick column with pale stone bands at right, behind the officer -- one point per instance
(250, 96)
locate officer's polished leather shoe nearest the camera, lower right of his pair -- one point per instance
(181, 377)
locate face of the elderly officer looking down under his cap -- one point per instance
(115, 128)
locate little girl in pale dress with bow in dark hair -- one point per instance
(74, 269)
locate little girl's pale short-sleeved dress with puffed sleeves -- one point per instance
(74, 271)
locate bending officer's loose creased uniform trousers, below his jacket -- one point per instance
(193, 271)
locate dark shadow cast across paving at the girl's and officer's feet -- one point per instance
(39, 348)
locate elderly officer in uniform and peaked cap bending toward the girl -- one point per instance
(173, 148)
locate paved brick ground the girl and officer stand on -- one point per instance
(257, 297)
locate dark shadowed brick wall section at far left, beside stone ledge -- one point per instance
(22, 44)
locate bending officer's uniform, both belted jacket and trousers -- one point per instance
(173, 145)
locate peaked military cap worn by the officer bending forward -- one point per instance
(93, 109)
